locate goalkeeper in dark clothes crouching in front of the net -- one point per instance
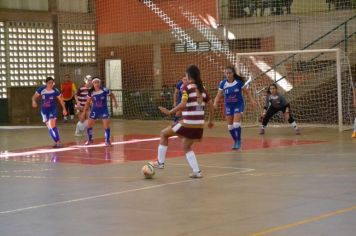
(276, 102)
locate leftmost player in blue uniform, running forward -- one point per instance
(48, 95)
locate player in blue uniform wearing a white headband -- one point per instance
(97, 97)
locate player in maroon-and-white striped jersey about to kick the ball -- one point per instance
(190, 128)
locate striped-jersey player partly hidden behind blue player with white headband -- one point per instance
(81, 97)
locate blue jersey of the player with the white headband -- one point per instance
(99, 107)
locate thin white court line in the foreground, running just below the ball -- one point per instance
(119, 193)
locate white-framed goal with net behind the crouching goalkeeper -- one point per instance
(317, 83)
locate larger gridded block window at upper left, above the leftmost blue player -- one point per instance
(31, 57)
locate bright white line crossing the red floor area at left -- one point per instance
(71, 148)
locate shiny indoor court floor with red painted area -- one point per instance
(276, 184)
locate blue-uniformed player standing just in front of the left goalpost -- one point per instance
(231, 87)
